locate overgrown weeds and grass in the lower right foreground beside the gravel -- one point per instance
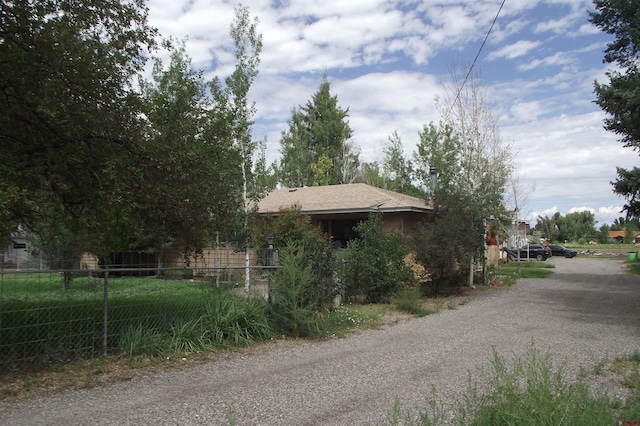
(531, 391)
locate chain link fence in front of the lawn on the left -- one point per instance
(51, 317)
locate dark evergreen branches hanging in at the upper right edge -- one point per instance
(621, 97)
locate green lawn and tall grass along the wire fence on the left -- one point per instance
(42, 325)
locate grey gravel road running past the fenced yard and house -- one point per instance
(588, 310)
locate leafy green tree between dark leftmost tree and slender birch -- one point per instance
(191, 163)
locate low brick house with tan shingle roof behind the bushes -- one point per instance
(336, 209)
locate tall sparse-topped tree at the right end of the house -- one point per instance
(473, 165)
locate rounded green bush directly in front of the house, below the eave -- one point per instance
(374, 263)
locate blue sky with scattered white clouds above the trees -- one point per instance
(389, 60)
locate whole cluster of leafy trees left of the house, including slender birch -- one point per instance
(89, 162)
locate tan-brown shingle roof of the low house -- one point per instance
(348, 198)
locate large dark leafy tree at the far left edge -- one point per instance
(70, 119)
